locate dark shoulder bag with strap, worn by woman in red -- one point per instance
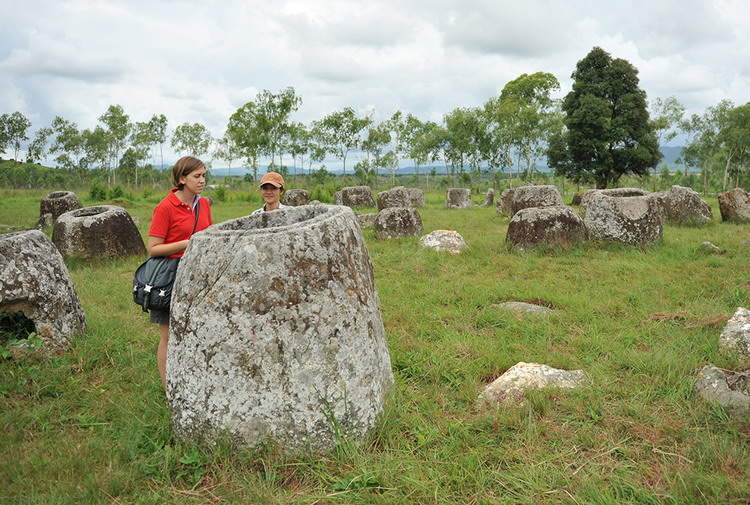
(154, 279)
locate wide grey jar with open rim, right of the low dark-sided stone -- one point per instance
(634, 220)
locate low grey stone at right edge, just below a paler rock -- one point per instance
(725, 387)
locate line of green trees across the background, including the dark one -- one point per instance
(602, 129)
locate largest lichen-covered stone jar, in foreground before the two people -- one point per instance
(276, 332)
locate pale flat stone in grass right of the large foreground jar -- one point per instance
(511, 386)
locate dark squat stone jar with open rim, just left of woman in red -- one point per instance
(100, 231)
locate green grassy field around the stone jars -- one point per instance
(91, 425)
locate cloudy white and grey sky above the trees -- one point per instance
(201, 60)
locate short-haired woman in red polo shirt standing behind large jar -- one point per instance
(171, 227)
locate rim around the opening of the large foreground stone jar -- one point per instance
(320, 213)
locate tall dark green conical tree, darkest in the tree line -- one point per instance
(607, 131)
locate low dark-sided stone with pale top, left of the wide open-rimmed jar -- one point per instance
(545, 225)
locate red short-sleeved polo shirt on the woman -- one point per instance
(173, 220)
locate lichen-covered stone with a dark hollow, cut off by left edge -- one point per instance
(35, 281)
